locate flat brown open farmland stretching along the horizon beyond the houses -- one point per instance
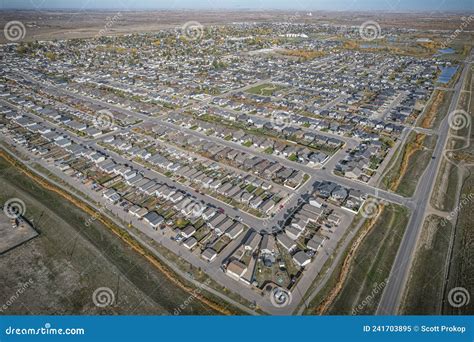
(47, 24)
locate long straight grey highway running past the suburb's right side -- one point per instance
(392, 294)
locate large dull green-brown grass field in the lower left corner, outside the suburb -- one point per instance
(74, 259)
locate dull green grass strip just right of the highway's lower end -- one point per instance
(424, 291)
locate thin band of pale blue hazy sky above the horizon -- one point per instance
(384, 5)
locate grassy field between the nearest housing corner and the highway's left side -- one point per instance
(369, 267)
